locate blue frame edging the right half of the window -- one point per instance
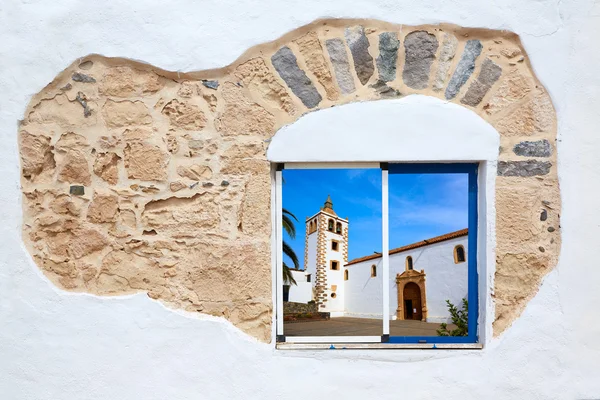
(473, 290)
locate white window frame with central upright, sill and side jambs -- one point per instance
(485, 257)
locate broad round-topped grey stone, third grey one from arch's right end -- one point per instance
(420, 48)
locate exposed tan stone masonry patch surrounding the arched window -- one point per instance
(137, 179)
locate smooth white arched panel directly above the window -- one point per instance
(413, 128)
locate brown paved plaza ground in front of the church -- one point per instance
(345, 326)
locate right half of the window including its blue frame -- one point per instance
(432, 214)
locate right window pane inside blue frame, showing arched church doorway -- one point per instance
(428, 217)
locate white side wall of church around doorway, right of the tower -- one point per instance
(444, 280)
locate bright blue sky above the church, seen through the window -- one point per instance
(421, 206)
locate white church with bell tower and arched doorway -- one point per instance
(423, 275)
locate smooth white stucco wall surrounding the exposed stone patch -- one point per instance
(57, 345)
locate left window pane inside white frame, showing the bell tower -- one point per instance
(336, 216)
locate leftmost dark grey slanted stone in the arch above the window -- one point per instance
(286, 65)
